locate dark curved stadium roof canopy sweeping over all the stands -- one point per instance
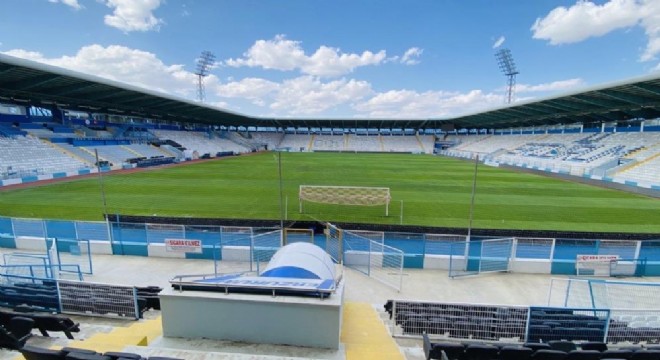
(31, 83)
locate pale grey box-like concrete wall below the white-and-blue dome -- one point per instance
(262, 319)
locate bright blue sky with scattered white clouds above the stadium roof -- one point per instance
(353, 58)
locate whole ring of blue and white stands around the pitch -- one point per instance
(627, 157)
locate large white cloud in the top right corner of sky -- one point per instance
(586, 19)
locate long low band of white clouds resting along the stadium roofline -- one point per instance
(305, 95)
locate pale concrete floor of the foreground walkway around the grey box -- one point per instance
(428, 285)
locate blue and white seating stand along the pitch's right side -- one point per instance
(623, 156)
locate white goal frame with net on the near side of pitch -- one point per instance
(345, 195)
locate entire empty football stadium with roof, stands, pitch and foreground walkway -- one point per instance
(438, 228)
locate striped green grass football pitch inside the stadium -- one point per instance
(435, 191)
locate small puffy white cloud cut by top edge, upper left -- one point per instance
(133, 15)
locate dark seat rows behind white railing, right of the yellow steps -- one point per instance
(494, 323)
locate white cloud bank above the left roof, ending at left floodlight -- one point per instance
(127, 65)
